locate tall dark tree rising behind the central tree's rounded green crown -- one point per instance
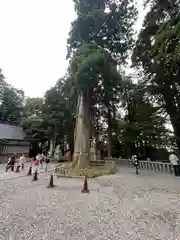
(109, 25)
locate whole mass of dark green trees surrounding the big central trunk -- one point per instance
(129, 115)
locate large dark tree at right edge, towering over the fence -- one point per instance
(157, 51)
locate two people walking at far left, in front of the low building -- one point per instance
(14, 159)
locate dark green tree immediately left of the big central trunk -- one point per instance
(58, 114)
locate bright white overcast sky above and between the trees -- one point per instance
(33, 42)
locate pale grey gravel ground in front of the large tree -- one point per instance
(118, 207)
